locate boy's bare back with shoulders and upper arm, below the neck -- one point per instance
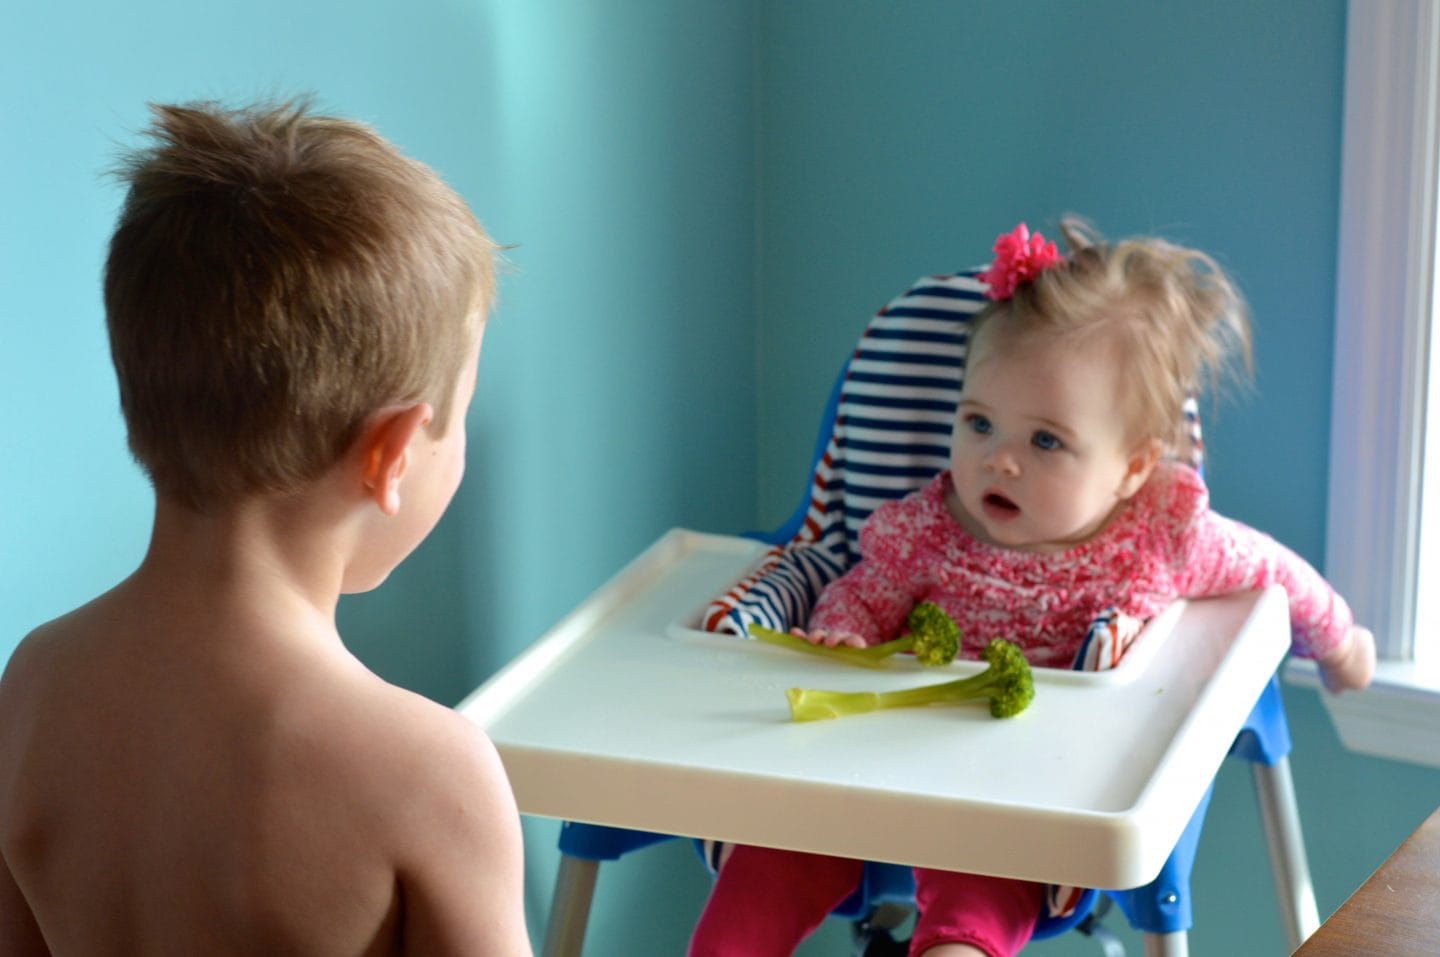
(172, 788)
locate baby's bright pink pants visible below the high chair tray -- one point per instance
(767, 902)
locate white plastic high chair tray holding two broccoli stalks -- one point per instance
(626, 715)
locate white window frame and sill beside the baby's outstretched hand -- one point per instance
(1385, 352)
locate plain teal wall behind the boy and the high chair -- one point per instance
(706, 202)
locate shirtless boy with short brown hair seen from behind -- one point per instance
(194, 763)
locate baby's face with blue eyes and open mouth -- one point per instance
(1040, 455)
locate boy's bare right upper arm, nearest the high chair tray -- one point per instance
(464, 880)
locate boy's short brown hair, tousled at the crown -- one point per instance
(277, 278)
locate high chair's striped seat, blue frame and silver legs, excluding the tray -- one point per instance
(886, 434)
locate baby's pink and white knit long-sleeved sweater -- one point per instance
(1167, 545)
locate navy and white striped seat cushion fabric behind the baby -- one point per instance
(891, 437)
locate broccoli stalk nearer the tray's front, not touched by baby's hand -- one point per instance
(1007, 684)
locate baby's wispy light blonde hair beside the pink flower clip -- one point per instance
(1173, 316)
